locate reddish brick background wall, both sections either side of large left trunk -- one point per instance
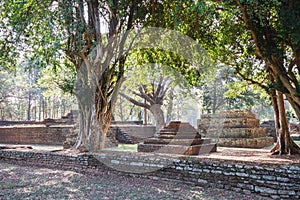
(58, 134)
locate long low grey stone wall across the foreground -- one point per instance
(271, 180)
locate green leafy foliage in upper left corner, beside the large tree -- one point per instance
(29, 31)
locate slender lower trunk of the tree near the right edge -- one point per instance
(285, 144)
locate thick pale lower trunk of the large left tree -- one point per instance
(95, 114)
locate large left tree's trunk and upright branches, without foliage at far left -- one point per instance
(99, 60)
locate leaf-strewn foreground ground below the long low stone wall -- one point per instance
(30, 182)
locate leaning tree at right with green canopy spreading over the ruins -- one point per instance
(259, 39)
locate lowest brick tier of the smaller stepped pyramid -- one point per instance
(178, 149)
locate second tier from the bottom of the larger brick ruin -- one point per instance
(235, 133)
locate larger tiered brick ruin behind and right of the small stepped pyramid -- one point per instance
(237, 128)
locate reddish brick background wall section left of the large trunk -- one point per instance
(52, 135)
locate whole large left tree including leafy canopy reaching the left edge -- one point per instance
(91, 35)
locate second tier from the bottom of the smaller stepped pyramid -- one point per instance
(185, 142)
